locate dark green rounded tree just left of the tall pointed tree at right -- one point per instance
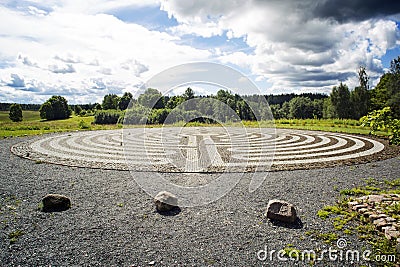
(340, 98)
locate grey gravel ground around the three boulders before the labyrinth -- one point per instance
(114, 223)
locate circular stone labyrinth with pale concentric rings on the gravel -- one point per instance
(200, 149)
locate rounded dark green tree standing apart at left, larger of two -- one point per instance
(55, 108)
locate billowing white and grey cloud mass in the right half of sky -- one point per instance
(297, 44)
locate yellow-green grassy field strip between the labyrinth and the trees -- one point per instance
(33, 125)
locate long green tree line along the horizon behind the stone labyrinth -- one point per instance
(154, 108)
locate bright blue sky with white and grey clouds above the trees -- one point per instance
(84, 50)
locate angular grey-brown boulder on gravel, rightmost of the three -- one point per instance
(281, 211)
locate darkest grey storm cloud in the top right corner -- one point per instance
(355, 10)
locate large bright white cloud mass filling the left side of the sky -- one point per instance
(71, 49)
